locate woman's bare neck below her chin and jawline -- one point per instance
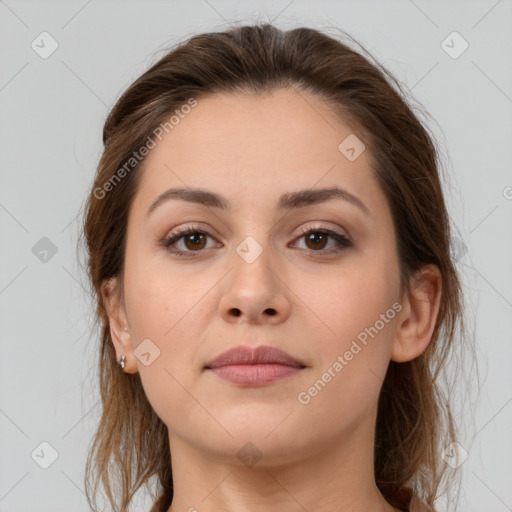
(338, 476)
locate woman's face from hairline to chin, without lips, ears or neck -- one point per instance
(249, 274)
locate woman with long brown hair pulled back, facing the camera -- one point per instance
(268, 243)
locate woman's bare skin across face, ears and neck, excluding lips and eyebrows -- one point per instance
(316, 456)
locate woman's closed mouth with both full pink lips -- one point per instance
(249, 367)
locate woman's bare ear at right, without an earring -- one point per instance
(418, 317)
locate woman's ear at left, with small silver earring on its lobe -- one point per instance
(119, 331)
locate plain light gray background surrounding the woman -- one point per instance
(52, 112)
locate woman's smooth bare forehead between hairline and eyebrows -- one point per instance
(249, 145)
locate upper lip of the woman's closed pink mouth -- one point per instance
(244, 355)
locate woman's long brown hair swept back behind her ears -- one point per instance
(414, 423)
